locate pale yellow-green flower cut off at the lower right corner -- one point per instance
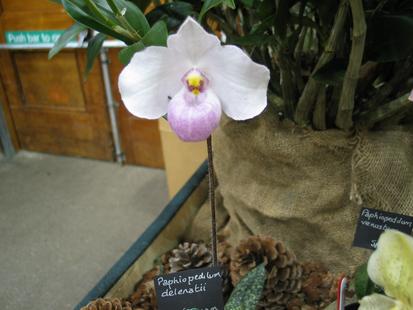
(391, 267)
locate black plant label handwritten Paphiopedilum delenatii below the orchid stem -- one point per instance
(199, 289)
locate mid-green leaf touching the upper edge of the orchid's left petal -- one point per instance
(157, 36)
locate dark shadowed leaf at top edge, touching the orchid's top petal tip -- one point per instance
(173, 13)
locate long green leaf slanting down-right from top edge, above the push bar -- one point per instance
(82, 15)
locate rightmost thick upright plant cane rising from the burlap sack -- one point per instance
(344, 119)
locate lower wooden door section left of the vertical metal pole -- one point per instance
(73, 122)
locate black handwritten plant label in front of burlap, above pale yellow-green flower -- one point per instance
(372, 223)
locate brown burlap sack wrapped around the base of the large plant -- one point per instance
(296, 185)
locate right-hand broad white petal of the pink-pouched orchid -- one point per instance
(240, 83)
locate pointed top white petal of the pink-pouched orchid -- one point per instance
(192, 41)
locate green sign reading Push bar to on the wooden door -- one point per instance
(32, 37)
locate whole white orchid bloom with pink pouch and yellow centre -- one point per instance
(192, 80)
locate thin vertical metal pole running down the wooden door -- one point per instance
(112, 107)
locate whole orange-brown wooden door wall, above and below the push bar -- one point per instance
(52, 109)
